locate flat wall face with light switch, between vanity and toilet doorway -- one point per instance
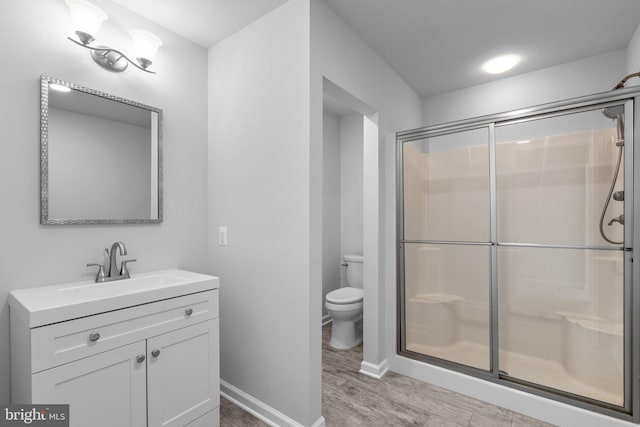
(259, 188)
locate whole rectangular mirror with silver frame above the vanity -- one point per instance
(100, 157)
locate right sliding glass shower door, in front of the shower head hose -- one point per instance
(560, 271)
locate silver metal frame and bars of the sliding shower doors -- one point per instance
(630, 98)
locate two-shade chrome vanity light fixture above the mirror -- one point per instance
(87, 19)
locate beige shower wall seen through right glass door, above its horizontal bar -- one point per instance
(551, 189)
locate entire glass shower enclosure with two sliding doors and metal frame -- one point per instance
(515, 247)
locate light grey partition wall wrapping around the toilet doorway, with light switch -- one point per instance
(265, 185)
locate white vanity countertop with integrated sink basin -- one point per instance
(51, 304)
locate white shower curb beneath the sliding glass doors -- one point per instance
(547, 410)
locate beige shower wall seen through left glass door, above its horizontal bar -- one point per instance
(447, 187)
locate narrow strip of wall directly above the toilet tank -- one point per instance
(351, 185)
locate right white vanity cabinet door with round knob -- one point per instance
(183, 376)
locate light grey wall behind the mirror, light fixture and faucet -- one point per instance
(36, 255)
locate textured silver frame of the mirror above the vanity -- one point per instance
(44, 156)
